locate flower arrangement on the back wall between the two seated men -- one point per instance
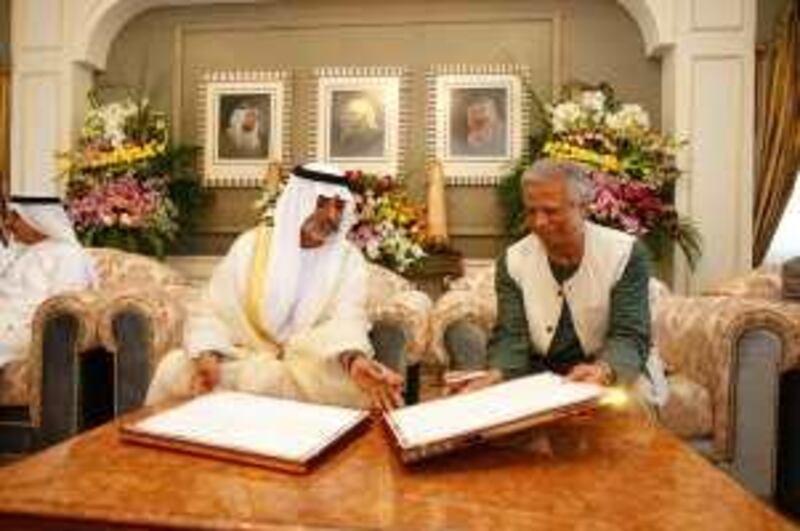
(390, 229)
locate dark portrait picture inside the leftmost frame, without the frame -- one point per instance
(244, 126)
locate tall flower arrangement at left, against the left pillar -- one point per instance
(126, 187)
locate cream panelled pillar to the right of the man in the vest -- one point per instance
(708, 85)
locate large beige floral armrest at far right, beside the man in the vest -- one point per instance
(699, 338)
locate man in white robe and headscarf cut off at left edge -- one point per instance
(39, 257)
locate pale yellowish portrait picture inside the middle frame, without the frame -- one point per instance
(357, 125)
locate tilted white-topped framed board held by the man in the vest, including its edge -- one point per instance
(447, 424)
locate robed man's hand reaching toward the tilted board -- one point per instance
(383, 386)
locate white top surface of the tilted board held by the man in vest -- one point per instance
(444, 418)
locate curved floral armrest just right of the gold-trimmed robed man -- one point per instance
(410, 311)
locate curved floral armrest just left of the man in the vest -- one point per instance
(473, 306)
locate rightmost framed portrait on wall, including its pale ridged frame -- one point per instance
(478, 120)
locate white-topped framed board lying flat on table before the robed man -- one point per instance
(247, 428)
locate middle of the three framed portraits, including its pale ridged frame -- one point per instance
(358, 121)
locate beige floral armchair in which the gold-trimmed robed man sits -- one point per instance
(145, 317)
